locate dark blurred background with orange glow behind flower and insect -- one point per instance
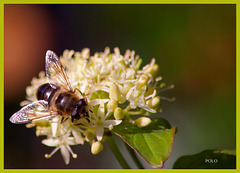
(194, 45)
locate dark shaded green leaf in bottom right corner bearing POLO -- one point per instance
(207, 159)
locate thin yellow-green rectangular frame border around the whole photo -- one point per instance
(2, 2)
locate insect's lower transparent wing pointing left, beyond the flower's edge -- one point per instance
(32, 112)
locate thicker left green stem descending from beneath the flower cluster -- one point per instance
(117, 153)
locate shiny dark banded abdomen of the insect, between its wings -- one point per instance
(46, 92)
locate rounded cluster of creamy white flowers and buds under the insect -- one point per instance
(116, 89)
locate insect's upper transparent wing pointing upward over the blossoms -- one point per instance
(55, 72)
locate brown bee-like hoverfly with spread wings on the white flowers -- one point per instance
(53, 98)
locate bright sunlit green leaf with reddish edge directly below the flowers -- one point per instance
(153, 142)
